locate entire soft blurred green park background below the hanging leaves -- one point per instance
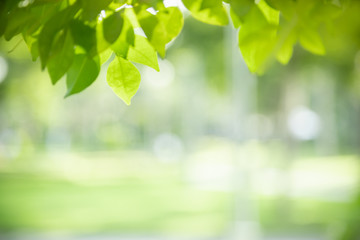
(206, 150)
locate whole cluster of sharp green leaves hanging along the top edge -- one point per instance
(75, 37)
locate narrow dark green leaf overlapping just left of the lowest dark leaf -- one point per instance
(62, 58)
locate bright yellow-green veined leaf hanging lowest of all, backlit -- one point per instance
(124, 79)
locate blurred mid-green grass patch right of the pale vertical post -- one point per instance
(300, 215)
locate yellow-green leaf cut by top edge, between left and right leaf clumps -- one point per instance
(207, 11)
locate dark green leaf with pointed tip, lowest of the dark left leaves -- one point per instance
(81, 74)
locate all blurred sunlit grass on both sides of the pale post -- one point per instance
(130, 192)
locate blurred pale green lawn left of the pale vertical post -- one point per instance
(37, 202)
